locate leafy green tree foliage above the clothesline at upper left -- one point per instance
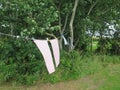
(28, 18)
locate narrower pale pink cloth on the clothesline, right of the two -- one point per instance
(56, 51)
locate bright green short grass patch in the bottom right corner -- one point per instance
(112, 76)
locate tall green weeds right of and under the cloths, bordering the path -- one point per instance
(73, 66)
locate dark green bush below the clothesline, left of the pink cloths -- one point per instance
(20, 61)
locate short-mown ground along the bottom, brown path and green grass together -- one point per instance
(107, 79)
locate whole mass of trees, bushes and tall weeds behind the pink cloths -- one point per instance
(20, 60)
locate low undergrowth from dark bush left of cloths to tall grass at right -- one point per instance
(21, 63)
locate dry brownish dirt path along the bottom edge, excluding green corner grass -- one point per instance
(86, 83)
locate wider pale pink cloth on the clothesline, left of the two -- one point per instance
(45, 50)
